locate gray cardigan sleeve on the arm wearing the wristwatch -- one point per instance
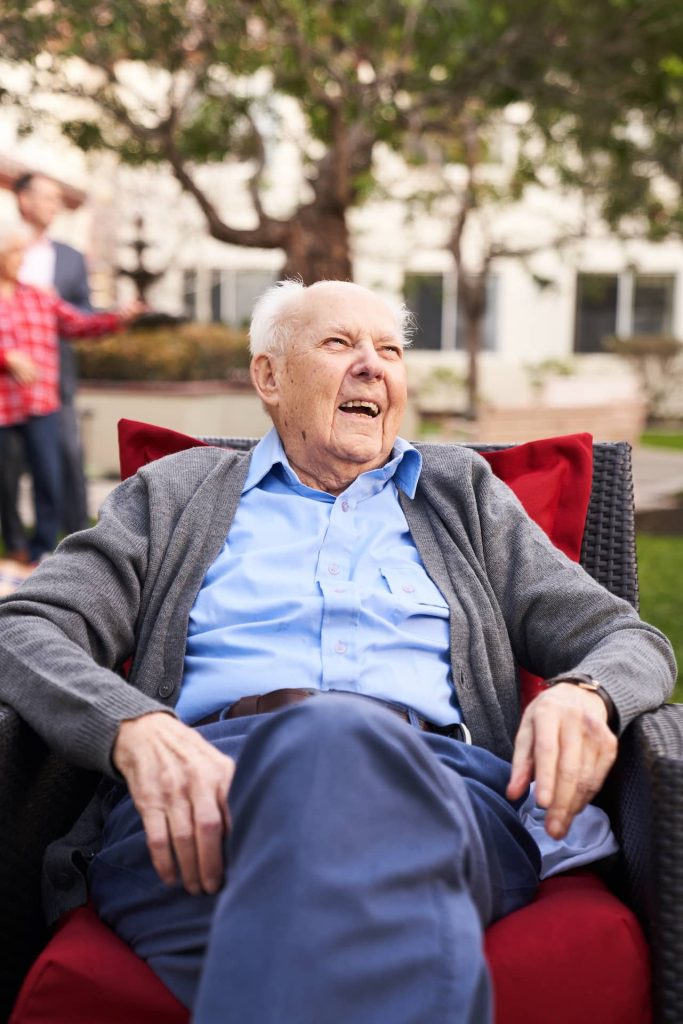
(560, 620)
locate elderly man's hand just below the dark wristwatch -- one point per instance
(565, 743)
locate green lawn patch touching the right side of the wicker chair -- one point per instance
(661, 572)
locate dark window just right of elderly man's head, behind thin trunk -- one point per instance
(441, 319)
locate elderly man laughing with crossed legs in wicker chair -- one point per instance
(337, 858)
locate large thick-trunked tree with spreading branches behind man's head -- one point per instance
(202, 81)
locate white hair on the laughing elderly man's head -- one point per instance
(274, 320)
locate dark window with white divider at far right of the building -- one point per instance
(623, 305)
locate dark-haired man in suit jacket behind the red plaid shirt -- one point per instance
(52, 267)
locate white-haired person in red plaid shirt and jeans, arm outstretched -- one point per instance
(31, 322)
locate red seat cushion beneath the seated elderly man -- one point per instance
(576, 954)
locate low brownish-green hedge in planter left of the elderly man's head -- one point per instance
(188, 353)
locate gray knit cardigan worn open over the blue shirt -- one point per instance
(125, 589)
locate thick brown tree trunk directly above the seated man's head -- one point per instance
(318, 245)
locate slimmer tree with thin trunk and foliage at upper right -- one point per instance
(597, 108)
